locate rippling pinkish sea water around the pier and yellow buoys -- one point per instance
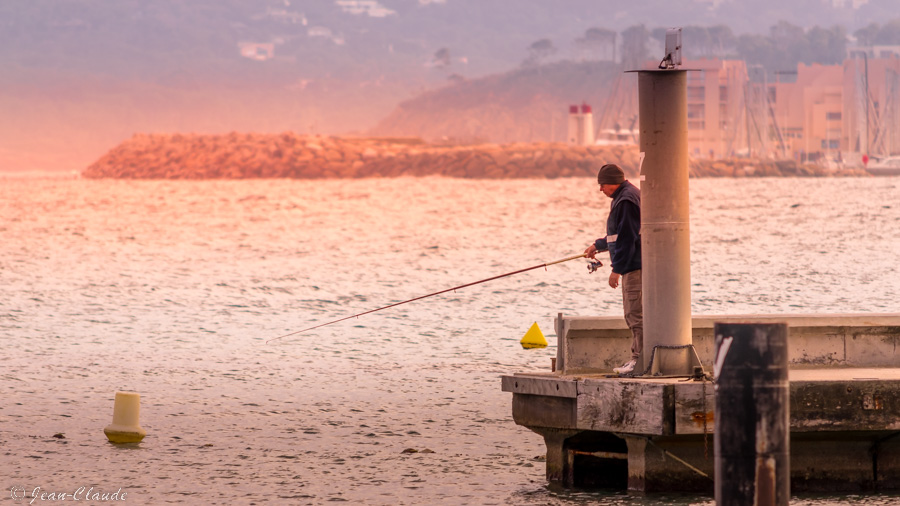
(171, 289)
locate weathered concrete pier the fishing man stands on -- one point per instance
(654, 434)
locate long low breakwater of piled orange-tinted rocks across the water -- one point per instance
(288, 155)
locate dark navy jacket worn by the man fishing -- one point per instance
(623, 230)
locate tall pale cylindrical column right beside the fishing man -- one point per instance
(665, 215)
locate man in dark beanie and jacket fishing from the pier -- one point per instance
(623, 241)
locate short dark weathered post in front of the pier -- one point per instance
(752, 427)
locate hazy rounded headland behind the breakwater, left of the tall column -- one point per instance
(523, 105)
